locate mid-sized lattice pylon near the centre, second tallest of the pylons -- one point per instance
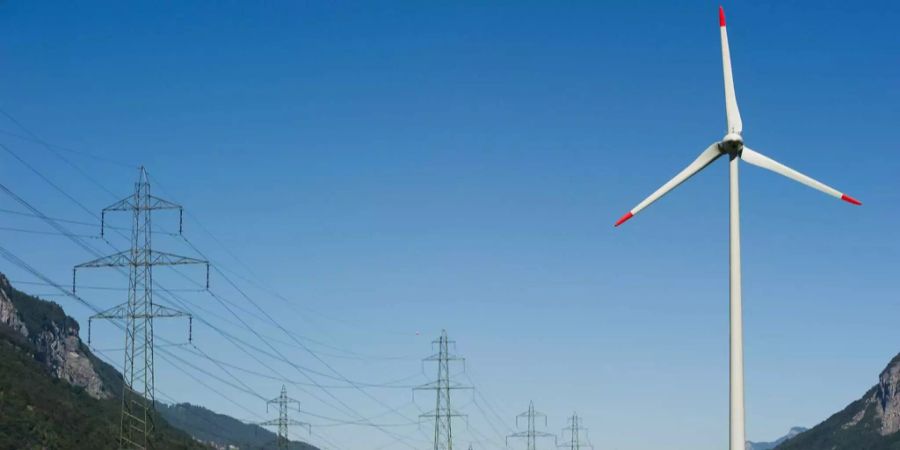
(443, 413)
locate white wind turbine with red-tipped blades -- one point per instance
(733, 146)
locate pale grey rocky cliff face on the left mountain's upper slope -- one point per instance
(53, 335)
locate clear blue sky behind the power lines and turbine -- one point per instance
(398, 168)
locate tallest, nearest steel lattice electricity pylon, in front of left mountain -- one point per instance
(136, 426)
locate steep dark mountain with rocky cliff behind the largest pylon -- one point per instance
(55, 394)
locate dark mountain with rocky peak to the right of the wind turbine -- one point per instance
(870, 423)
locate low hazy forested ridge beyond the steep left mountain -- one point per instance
(220, 430)
